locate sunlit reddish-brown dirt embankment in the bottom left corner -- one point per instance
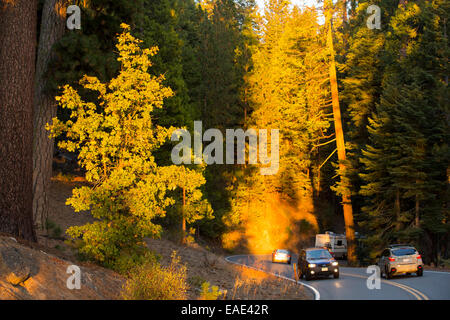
(31, 273)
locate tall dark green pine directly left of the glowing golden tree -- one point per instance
(225, 48)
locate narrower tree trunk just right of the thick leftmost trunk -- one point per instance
(52, 29)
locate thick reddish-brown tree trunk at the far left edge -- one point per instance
(17, 62)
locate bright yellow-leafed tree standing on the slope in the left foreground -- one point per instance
(116, 139)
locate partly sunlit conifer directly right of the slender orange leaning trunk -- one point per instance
(362, 71)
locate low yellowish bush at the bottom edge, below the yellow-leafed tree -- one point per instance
(151, 281)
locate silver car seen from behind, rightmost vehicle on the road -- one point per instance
(400, 259)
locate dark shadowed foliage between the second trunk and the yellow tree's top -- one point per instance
(90, 50)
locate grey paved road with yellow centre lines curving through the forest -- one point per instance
(352, 282)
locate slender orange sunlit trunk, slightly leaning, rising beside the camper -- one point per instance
(346, 199)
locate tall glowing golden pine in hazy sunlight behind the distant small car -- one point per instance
(287, 92)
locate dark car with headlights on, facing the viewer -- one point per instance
(316, 262)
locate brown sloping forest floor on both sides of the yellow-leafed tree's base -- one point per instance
(51, 256)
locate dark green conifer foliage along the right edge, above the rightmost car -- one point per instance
(404, 171)
